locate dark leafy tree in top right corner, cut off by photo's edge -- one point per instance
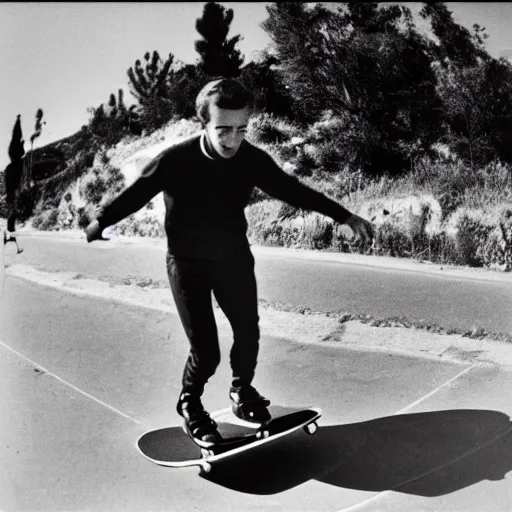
(474, 87)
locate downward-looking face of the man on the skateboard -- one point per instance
(226, 129)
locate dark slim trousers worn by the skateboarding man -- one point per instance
(233, 284)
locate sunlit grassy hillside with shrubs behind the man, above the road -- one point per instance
(442, 211)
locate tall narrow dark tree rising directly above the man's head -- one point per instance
(219, 56)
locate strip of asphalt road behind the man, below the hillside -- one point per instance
(382, 287)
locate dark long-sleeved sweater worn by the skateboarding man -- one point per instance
(205, 198)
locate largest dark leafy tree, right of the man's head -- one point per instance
(370, 68)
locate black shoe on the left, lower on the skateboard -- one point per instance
(197, 422)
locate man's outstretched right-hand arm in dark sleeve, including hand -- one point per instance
(277, 183)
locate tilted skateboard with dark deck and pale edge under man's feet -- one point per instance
(172, 447)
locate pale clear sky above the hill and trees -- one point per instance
(68, 57)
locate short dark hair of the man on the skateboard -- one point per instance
(225, 93)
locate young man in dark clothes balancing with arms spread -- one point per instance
(207, 181)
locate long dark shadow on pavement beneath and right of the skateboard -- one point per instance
(424, 454)
